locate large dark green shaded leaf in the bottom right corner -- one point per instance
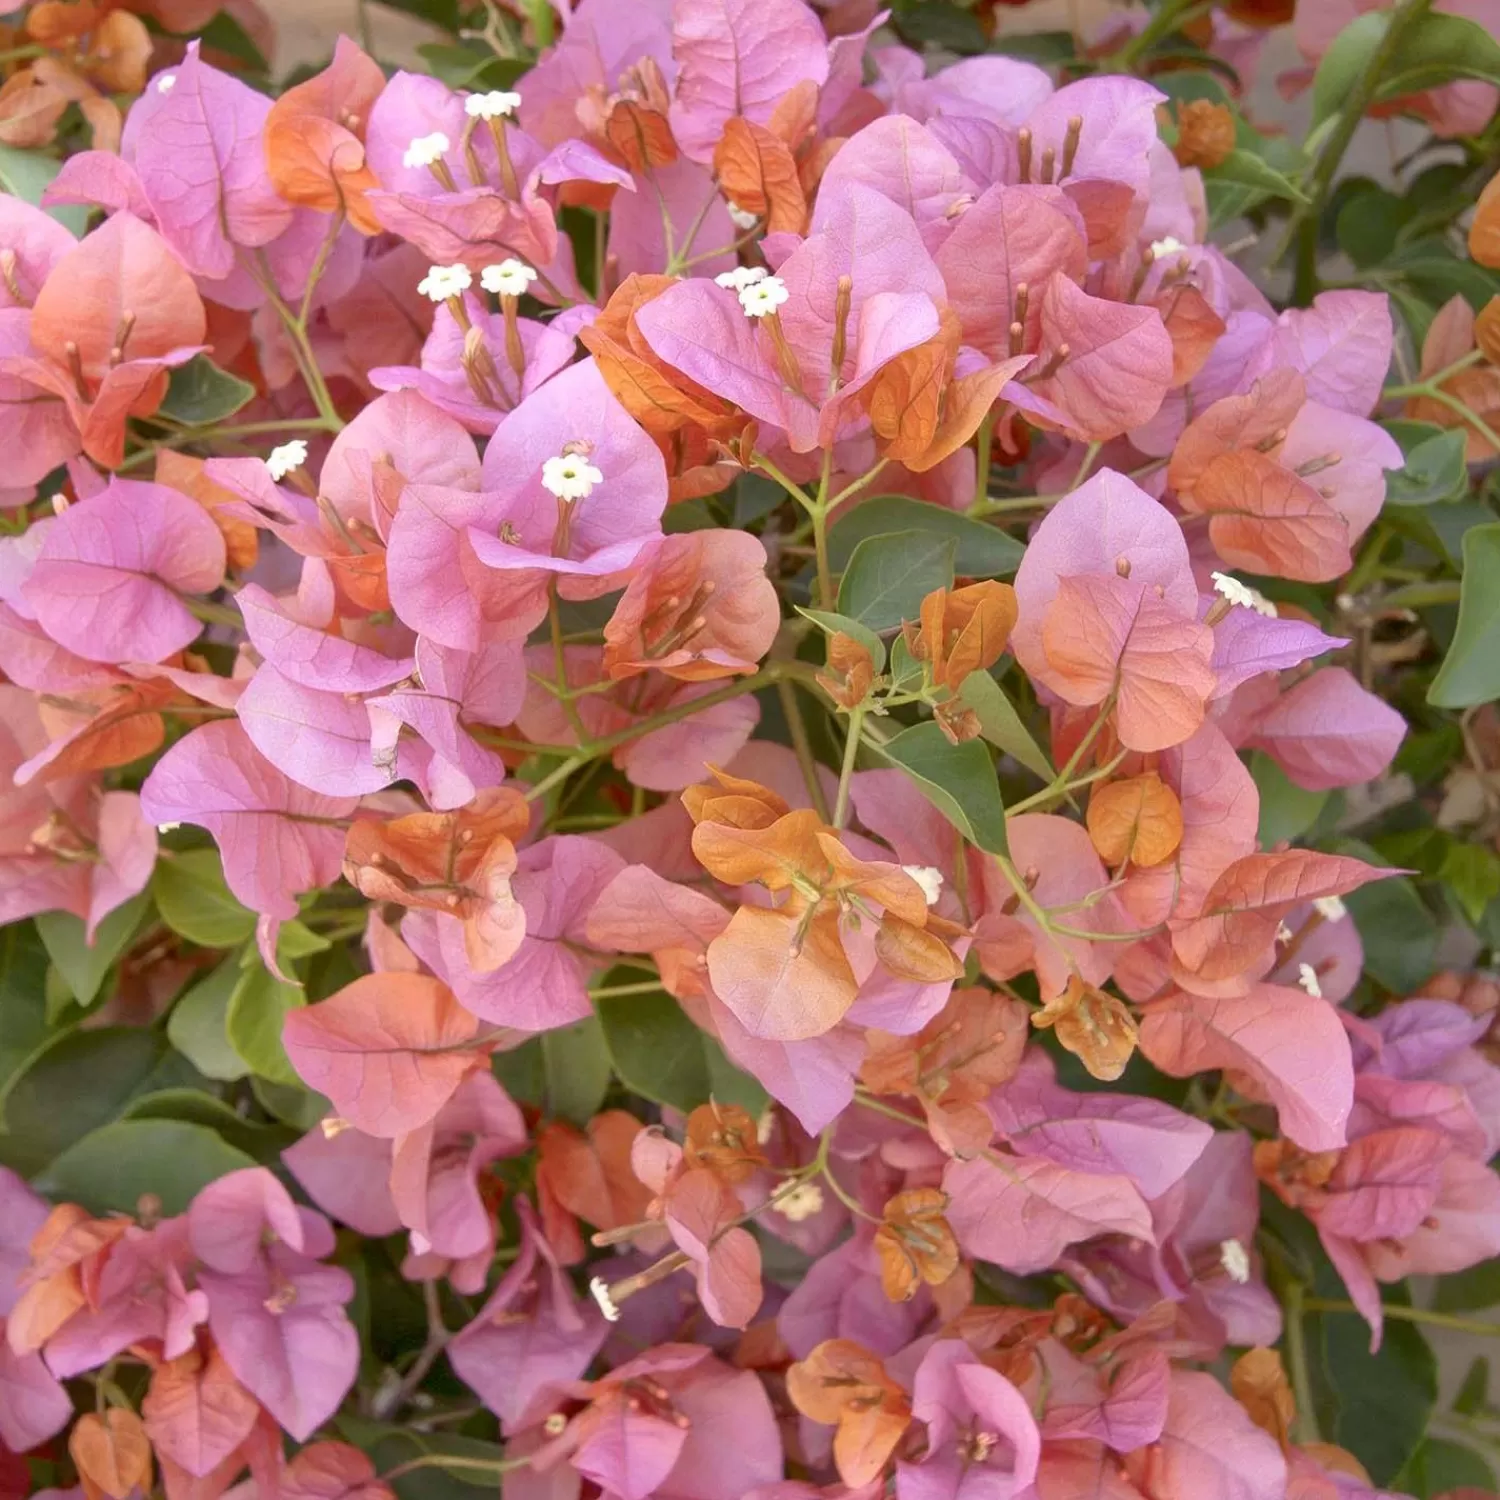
(1378, 1406)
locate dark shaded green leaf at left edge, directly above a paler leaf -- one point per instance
(83, 1081)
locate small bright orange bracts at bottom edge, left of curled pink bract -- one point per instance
(844, 1385)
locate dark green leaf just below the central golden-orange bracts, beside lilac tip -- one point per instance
(661, 1055)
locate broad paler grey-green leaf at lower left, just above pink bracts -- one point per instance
(109, 1169)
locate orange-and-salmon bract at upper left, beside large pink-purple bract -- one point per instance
(316, 139)
